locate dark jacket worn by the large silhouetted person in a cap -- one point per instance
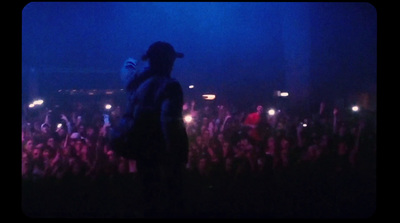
(155, 103)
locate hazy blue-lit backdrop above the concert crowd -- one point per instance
(234, 49)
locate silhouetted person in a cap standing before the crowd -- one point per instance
(159, 140)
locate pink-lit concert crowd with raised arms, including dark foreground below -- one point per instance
(240, 164)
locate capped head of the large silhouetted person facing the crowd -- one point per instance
(161, 56)
